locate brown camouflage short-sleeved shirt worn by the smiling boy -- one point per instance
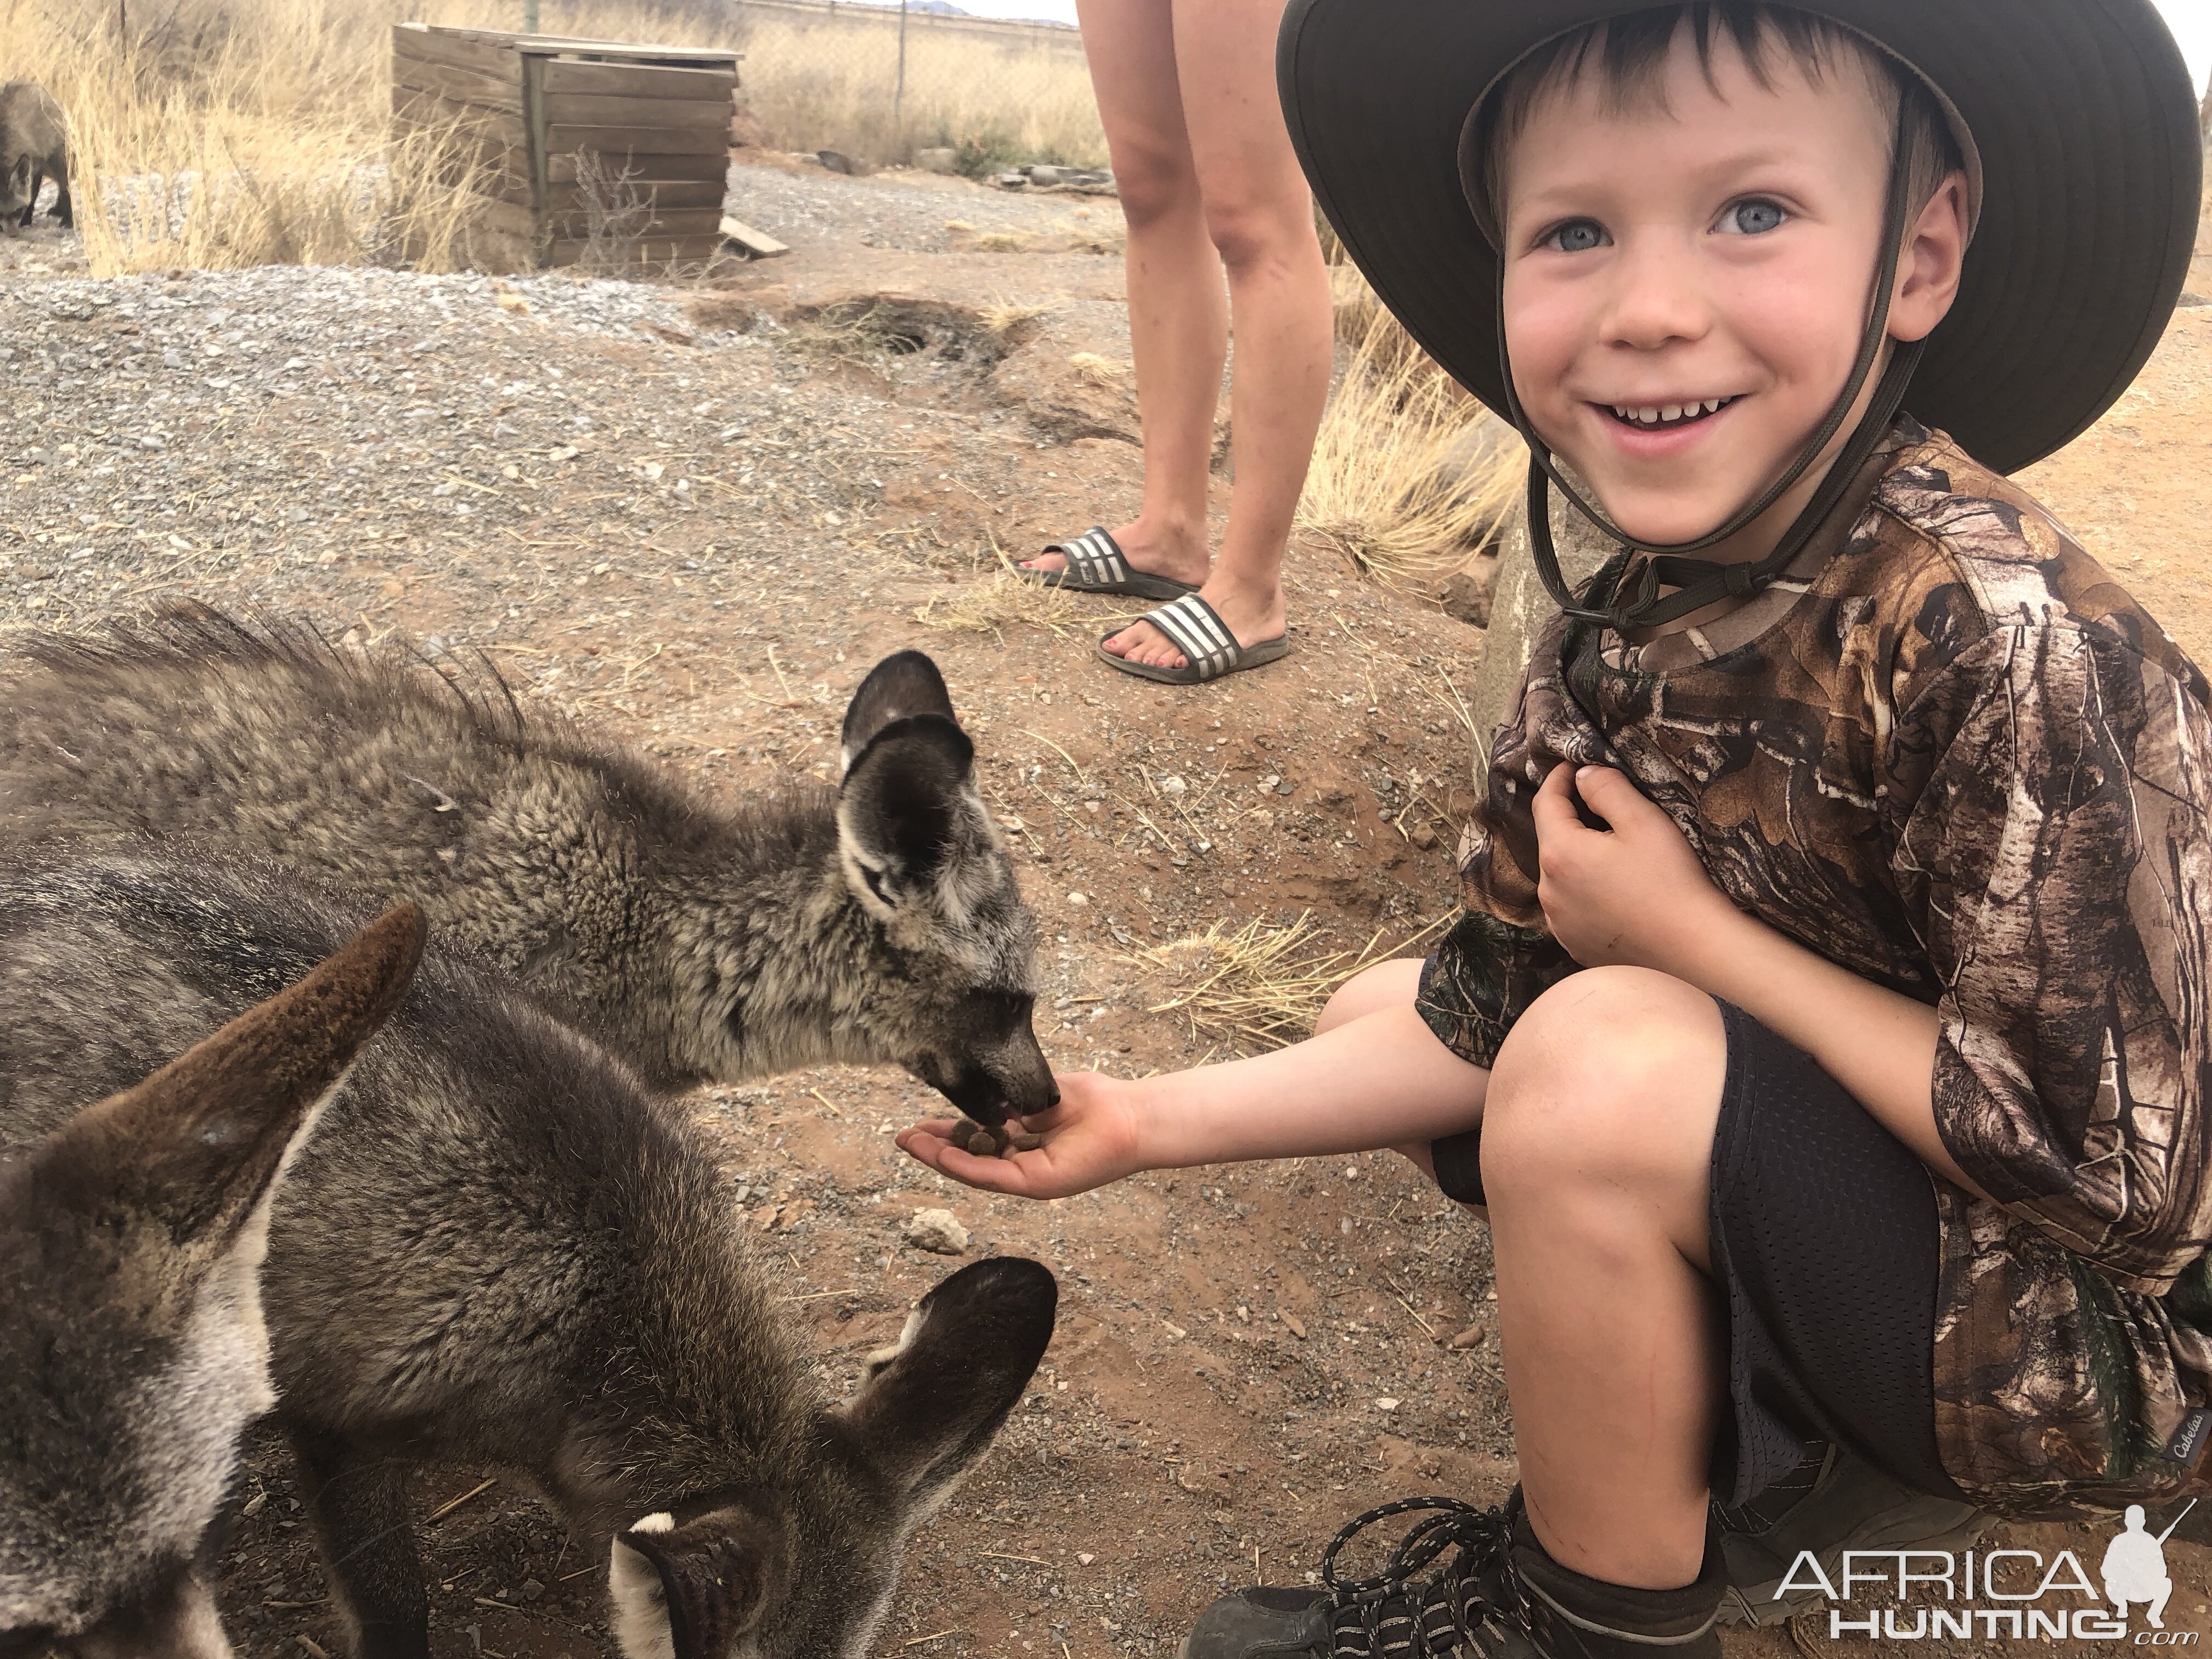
(1952, 755)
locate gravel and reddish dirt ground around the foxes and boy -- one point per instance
(700, 530)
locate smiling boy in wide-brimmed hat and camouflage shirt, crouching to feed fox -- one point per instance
(1830, 1032)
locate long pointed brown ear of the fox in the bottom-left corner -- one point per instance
(196, 1147)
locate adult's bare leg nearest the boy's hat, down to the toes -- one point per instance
(1262, 222)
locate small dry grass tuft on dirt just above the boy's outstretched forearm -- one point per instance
(1260, 985)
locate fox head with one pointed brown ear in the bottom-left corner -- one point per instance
(132, 1339)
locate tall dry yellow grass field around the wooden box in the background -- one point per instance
(233, 134)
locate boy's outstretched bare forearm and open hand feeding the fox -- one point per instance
(1373, 1083)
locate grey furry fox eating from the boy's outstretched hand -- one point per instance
(868, 924)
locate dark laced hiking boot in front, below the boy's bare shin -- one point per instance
(1494, 1594)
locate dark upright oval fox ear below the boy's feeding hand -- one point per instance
(970, 1348)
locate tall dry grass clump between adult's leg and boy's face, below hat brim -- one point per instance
(1410, 474)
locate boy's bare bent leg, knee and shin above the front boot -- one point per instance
(1598, 1167)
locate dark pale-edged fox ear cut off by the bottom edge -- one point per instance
(691, 1592)
